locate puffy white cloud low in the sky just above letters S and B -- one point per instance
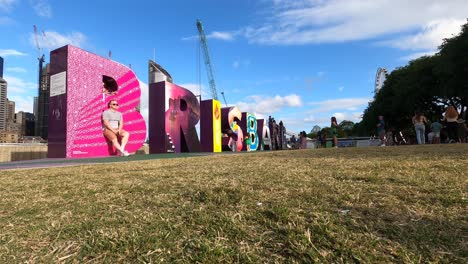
(264, 105)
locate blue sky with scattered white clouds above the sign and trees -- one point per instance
(300, 61)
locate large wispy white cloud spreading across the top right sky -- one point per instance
(318, 21)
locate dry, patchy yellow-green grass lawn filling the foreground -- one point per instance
(394, 204)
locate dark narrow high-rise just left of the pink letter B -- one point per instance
(43, 102)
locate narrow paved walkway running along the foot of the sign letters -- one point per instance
(46, 163)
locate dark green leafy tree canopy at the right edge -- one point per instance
(428, 85)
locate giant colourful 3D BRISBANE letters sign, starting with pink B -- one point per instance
(83, 84)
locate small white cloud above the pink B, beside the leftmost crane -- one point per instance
(53, 40)
